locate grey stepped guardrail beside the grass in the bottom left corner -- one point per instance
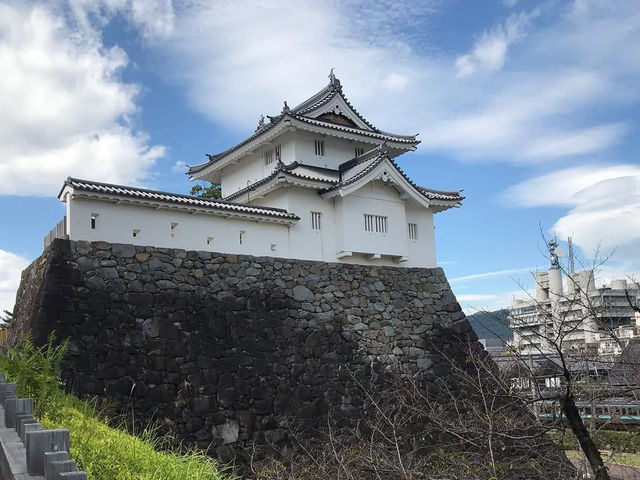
(26, 449)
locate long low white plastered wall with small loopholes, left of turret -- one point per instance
(115, 224)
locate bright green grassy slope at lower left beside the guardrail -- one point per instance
(104, 452)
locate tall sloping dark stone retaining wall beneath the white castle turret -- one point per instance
(231, 349)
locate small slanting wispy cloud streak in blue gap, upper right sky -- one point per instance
(490, 51)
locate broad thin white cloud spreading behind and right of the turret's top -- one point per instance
(239, 59)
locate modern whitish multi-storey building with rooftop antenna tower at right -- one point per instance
(597, 320)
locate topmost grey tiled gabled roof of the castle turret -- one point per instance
(315, 113)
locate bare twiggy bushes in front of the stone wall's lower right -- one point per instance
(467, 426)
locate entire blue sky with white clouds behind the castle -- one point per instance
(531, 107)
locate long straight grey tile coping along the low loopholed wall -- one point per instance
(175, 198)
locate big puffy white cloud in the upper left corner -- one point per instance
(63, 109)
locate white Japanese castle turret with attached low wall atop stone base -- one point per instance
(316, 182)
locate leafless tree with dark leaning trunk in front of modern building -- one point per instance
(564, 313)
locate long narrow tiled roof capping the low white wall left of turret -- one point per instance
(107, 191)
